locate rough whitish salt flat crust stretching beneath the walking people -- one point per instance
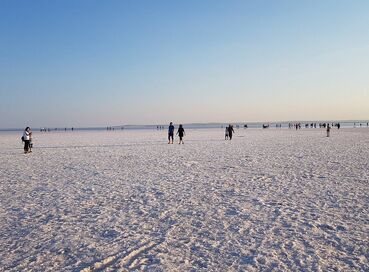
(127, 201)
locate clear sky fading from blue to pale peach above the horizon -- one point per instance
(86, 63)
